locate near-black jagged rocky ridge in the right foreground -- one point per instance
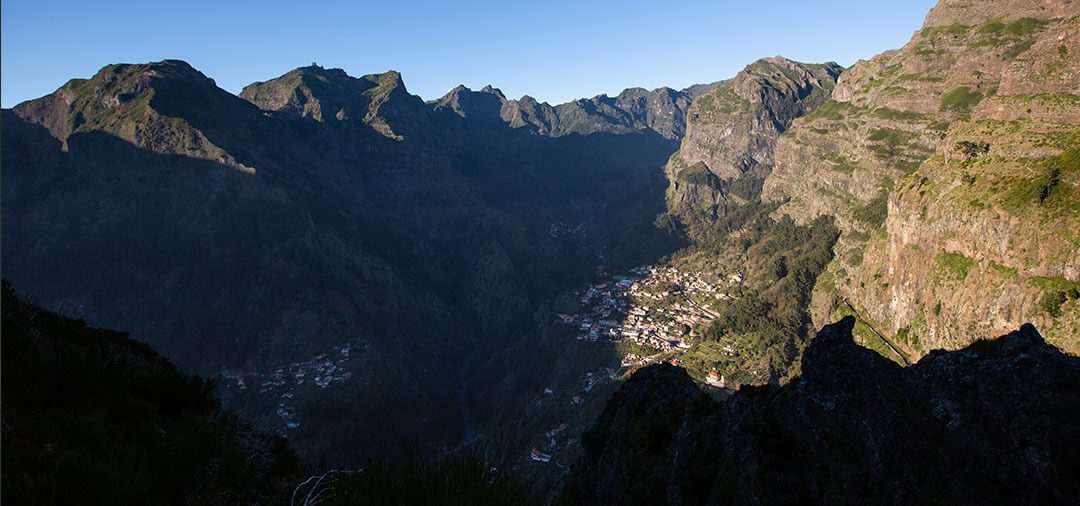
(995, 423)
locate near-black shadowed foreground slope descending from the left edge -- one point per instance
(86, 411)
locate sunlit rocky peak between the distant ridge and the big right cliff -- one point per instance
(733, 130)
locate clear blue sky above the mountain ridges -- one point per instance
(555, 50)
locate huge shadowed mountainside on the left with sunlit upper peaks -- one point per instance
(240, 240)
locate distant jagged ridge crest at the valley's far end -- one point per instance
(661, 111)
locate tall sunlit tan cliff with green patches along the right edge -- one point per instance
(951, 167)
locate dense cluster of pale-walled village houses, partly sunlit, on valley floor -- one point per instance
(659, 309)
